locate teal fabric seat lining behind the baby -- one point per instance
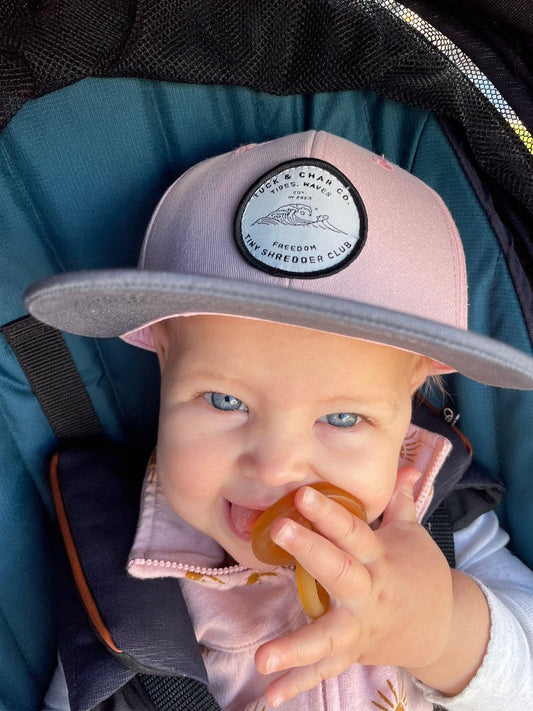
(81, 170)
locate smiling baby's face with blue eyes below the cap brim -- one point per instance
(252, 410)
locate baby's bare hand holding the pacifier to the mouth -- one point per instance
(391, 592)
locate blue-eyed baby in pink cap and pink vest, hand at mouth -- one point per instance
(298, 294)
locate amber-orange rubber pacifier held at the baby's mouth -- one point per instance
(315, 600)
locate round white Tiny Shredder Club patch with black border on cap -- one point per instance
(302, 219)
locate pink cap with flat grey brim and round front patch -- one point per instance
(309, 230)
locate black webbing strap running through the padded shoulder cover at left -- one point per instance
(57, 385)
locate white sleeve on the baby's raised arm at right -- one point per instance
(505, 678)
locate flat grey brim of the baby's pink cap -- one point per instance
(109, 303)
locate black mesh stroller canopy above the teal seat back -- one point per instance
(302, 46)
